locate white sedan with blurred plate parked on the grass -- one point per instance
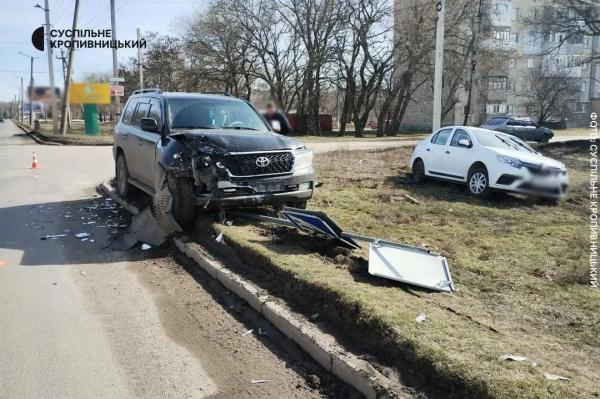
(485, 161)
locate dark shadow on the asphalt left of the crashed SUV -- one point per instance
(67, 232)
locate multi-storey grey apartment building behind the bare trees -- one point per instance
(516, 49)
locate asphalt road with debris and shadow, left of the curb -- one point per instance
(78, 320)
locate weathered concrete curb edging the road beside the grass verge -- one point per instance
(320, 346)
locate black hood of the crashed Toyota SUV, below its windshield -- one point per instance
(241, 141)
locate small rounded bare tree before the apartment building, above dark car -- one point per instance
(547, 89)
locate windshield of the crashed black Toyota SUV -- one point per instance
(213, 113)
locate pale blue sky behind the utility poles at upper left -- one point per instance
(19, 18)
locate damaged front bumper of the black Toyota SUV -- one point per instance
(256, 191)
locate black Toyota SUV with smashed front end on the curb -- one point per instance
(214, 150)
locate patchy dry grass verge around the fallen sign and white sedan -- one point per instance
(520, 270)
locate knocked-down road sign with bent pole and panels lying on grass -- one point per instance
(405, 263)
